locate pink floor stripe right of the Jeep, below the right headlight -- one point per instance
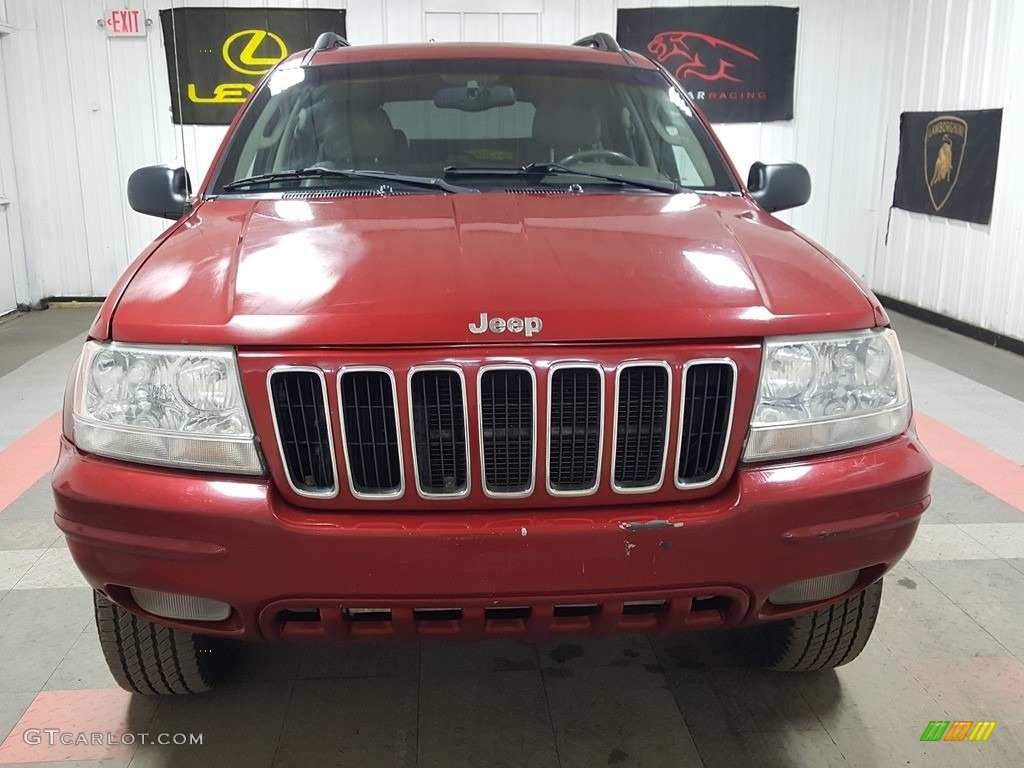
(983, 466)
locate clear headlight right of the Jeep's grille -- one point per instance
(822, 394)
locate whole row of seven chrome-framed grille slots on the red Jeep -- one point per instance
(434, 407)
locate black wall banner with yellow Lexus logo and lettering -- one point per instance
(216, 57)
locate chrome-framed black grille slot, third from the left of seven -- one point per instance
(440, 436)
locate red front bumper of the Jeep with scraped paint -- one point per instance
(288, 572)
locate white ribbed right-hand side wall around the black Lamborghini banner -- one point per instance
(959, 55)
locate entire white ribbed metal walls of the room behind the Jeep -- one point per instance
(86, 111)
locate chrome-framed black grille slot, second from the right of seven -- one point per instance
(642, 422)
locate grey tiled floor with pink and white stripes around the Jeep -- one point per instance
(950, 644)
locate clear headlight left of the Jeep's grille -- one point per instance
(177, 407)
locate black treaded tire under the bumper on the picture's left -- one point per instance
(153, 660)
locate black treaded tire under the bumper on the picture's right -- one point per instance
(823, 641)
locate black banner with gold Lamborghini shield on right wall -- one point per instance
(948, 163)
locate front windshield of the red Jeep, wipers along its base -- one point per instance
(464, 119)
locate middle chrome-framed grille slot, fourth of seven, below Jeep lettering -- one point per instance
(507, 431)
